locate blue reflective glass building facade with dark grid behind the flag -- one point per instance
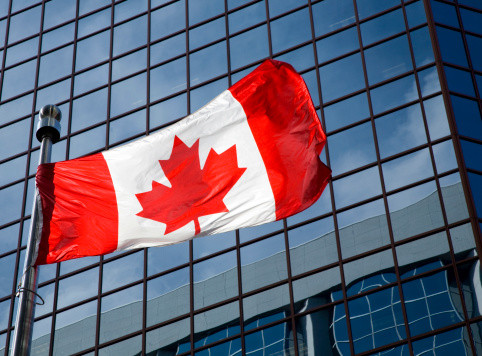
(385, 263)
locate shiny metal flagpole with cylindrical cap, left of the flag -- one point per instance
(48, 132)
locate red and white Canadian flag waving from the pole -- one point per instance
(248, 157)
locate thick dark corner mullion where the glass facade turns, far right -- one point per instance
(453, 128)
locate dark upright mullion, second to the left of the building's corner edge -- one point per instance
(382, 182)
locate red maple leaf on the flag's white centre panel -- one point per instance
(194, 191)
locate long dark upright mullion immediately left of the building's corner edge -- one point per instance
(439, 190)
